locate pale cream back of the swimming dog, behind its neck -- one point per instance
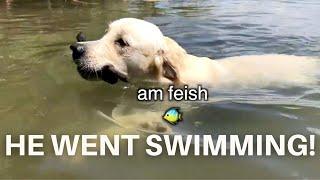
(269, 70)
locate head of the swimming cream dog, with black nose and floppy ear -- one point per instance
(131, 50)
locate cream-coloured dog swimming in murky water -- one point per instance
(136, 51)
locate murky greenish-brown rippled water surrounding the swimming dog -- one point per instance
(41, 92)
